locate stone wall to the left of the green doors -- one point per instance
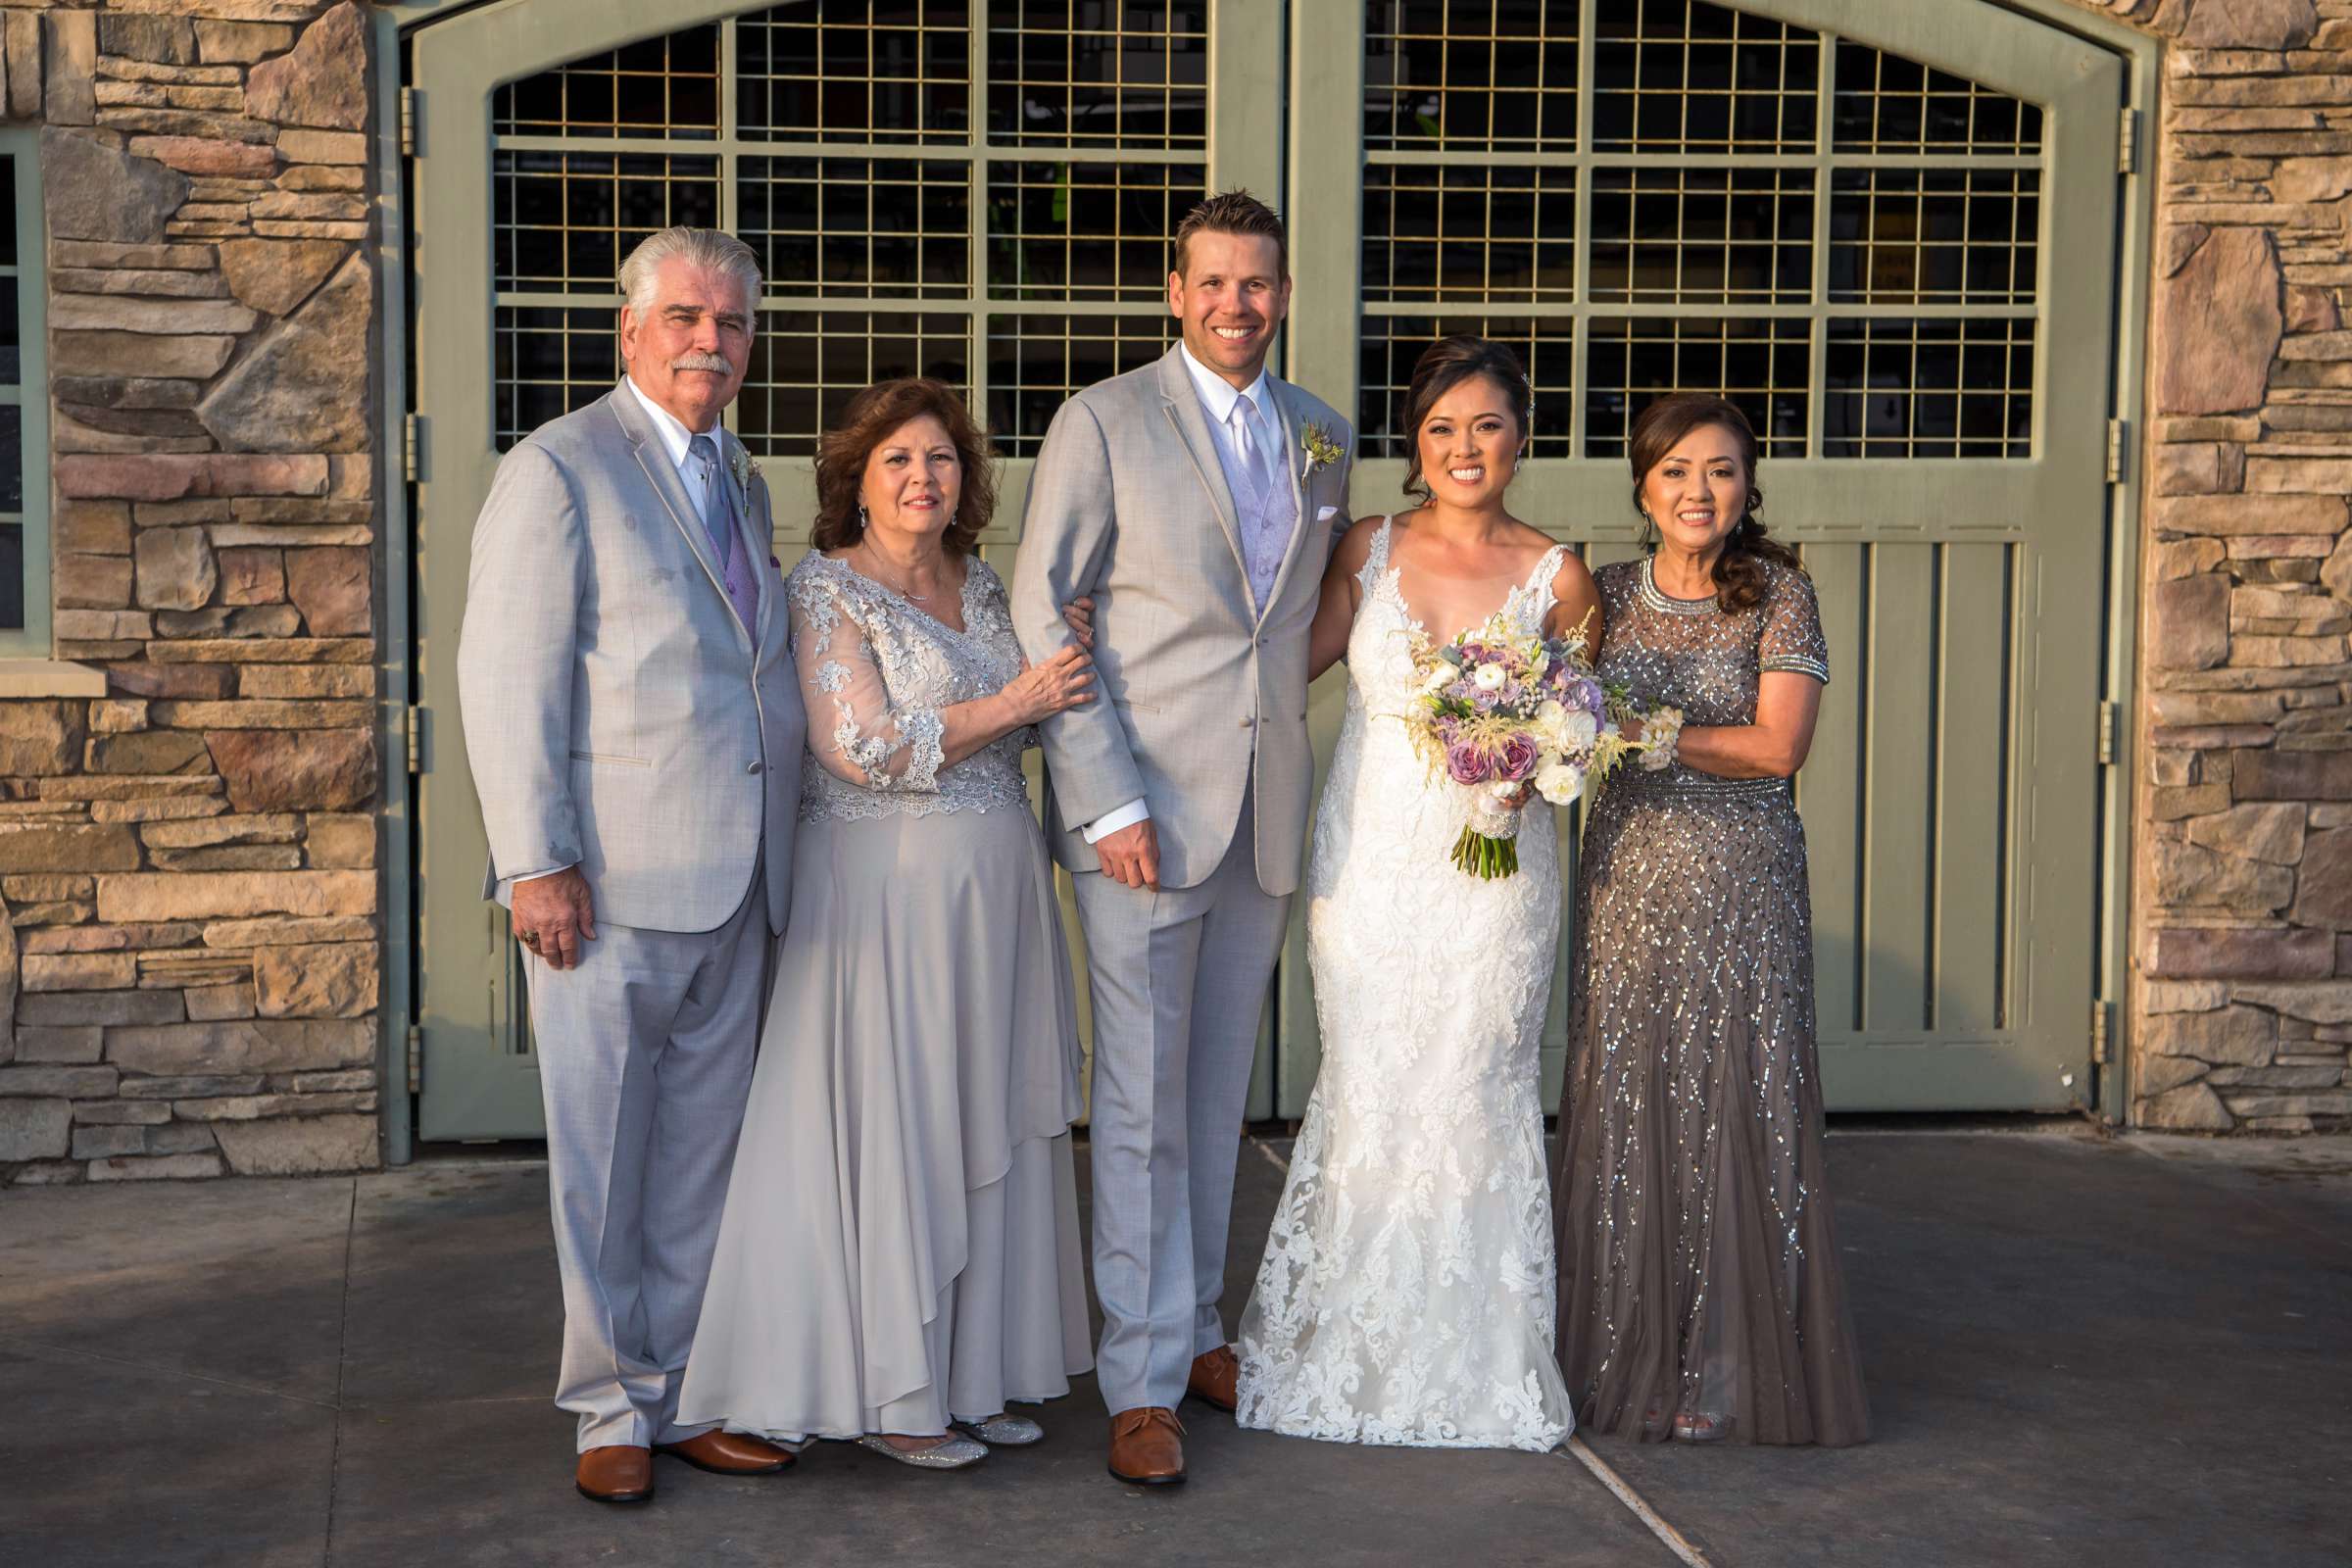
(189, 862)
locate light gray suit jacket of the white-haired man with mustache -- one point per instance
(617, 713)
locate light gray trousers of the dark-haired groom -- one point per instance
(1180, 984)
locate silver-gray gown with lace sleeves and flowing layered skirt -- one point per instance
(902, 1226)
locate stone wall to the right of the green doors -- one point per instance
(2243, 1005)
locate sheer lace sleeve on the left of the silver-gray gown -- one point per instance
(855, 730)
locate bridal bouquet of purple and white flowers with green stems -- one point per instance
(1504, 711)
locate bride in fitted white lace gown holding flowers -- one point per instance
(1408, 1289)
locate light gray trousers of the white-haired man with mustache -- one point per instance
(646, 1054)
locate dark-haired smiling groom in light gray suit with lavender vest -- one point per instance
(1196, 504)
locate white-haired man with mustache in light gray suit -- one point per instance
(636, 728)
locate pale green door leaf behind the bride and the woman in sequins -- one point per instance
(1887, 232)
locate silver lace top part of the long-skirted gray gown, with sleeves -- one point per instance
(876, 676)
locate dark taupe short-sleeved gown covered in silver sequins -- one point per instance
(1697, 1249)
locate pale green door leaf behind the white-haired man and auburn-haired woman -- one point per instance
(963, 189)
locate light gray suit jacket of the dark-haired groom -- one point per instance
(1201, 692)
